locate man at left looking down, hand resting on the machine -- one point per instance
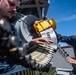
(7, 10)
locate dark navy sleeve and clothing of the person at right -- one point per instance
(71, 40)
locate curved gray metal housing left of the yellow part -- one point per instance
(25, 28)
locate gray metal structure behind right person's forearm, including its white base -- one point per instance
(62, 66)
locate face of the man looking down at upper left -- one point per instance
(8, 7)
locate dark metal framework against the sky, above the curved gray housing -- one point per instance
(38, 8)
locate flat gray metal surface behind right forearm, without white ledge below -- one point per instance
(59, 61)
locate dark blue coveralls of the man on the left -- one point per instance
(6, 67)
